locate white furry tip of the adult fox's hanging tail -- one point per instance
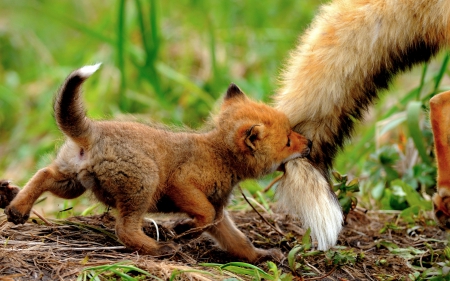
(304, 193)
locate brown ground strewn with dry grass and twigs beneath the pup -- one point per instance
(61, 249)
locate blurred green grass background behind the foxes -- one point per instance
(170, 62)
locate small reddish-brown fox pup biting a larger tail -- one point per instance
(138, 169)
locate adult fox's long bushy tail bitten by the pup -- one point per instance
(351, 51)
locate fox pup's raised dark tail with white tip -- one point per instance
(69, 110)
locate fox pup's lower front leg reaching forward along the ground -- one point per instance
(236, 243)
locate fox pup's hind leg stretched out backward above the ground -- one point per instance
(46, 179)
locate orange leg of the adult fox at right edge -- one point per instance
(440, 122)
